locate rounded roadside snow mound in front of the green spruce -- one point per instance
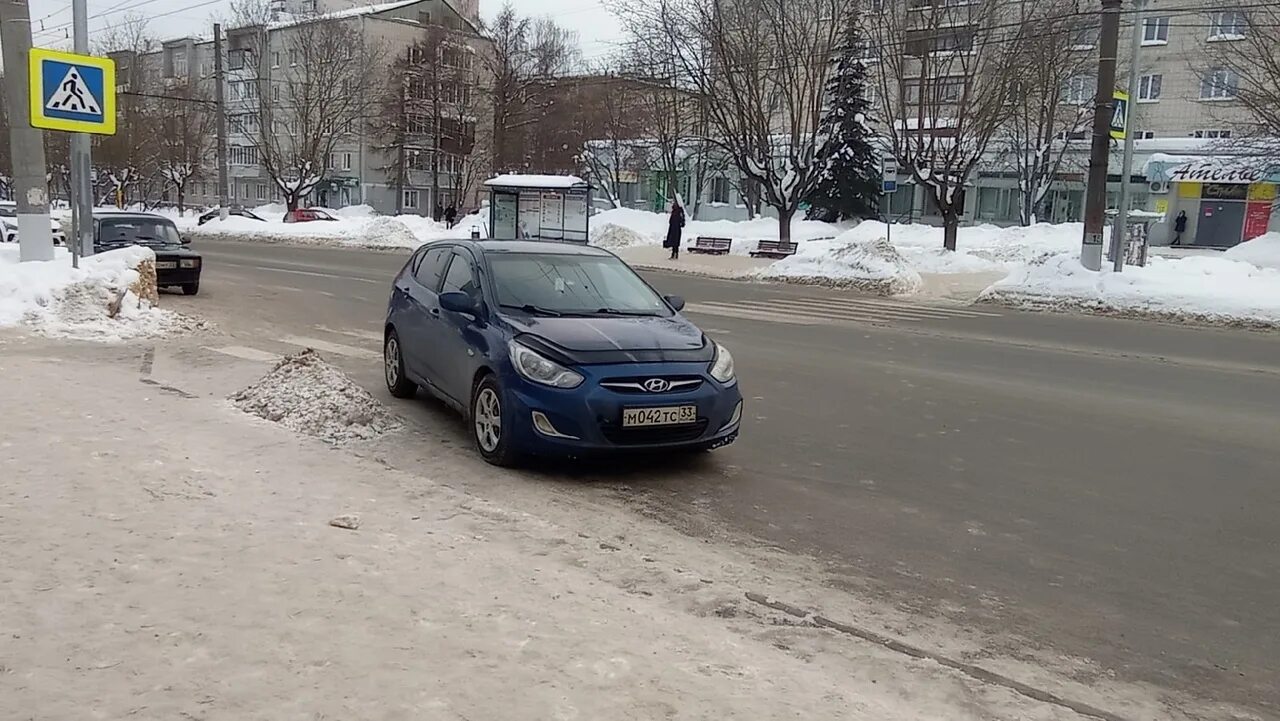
(848, 261)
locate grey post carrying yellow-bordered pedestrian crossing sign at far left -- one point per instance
(76, 94)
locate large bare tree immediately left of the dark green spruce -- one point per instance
(762, 67)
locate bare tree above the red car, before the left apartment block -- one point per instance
(318, 81)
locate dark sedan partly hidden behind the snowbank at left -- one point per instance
(176, 264)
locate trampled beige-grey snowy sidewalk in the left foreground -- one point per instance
(175, 559)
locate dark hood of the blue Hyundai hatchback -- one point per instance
(614, 339)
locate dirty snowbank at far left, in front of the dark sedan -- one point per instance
(109, 298)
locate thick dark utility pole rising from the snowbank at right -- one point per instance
(1096, 194)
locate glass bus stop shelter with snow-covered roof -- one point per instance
(545, 208)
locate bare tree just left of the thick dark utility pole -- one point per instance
(1050, 103)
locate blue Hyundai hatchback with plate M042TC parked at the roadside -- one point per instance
(556, 350)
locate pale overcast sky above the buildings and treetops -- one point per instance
(597, 28)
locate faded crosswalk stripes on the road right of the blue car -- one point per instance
(833, 311)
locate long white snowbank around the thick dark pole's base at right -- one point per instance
(1214, 290)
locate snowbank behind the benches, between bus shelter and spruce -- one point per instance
(652, 229)
